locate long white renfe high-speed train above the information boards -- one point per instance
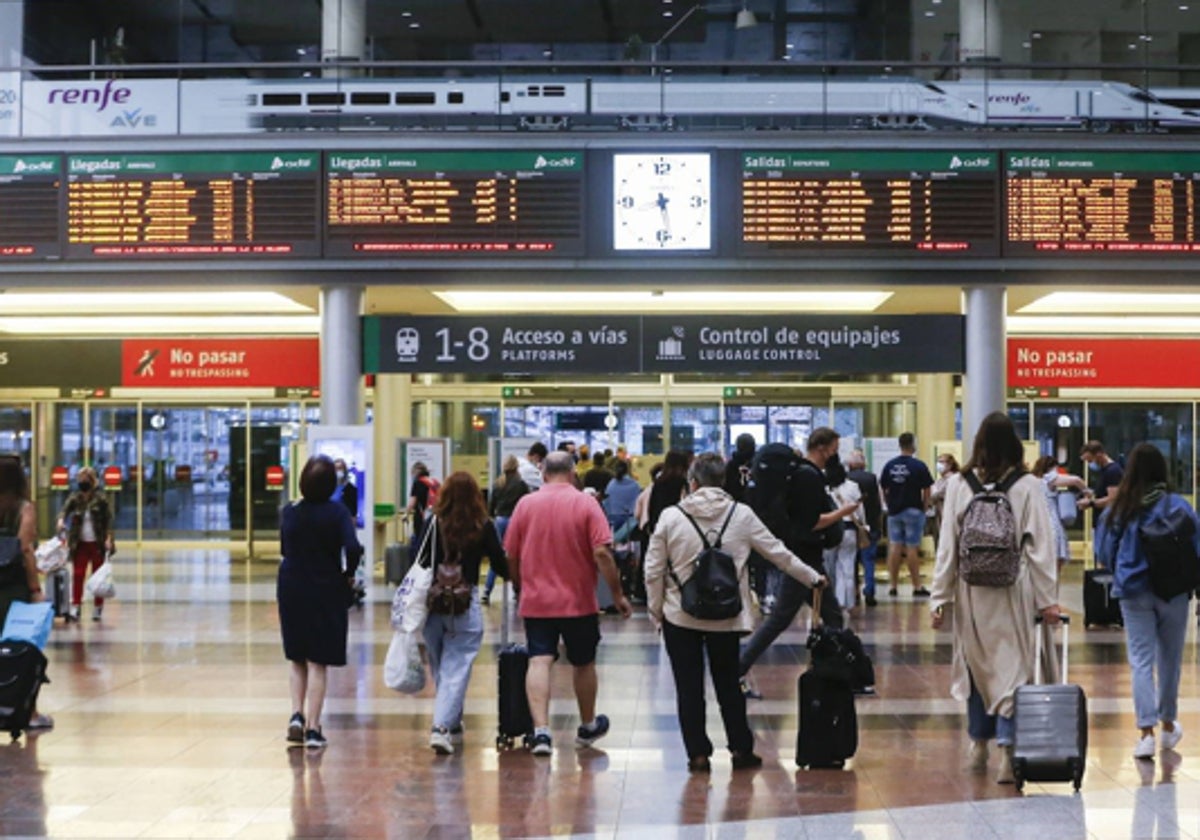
(675, 103)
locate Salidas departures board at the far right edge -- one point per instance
(1111, 202)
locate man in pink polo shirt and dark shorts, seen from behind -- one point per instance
(557, 544)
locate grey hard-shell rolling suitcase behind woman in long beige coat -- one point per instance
(1051, 741)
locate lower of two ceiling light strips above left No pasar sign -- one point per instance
(161, 325)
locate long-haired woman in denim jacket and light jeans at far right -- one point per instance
(1156, 627)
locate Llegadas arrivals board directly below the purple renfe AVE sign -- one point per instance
(254, 205)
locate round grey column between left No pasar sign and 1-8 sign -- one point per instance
(341, 356)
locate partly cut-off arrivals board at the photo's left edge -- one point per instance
(29, 207)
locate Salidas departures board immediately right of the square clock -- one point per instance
(869, 203)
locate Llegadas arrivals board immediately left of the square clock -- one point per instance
(395, 203)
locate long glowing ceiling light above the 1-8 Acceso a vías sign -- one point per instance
(631, 301)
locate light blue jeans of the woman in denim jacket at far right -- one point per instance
(1155, 634)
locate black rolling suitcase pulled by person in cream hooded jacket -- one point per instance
(829, 731)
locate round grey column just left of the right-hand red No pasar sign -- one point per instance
(985, 385)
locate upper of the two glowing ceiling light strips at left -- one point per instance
(128, 303)
